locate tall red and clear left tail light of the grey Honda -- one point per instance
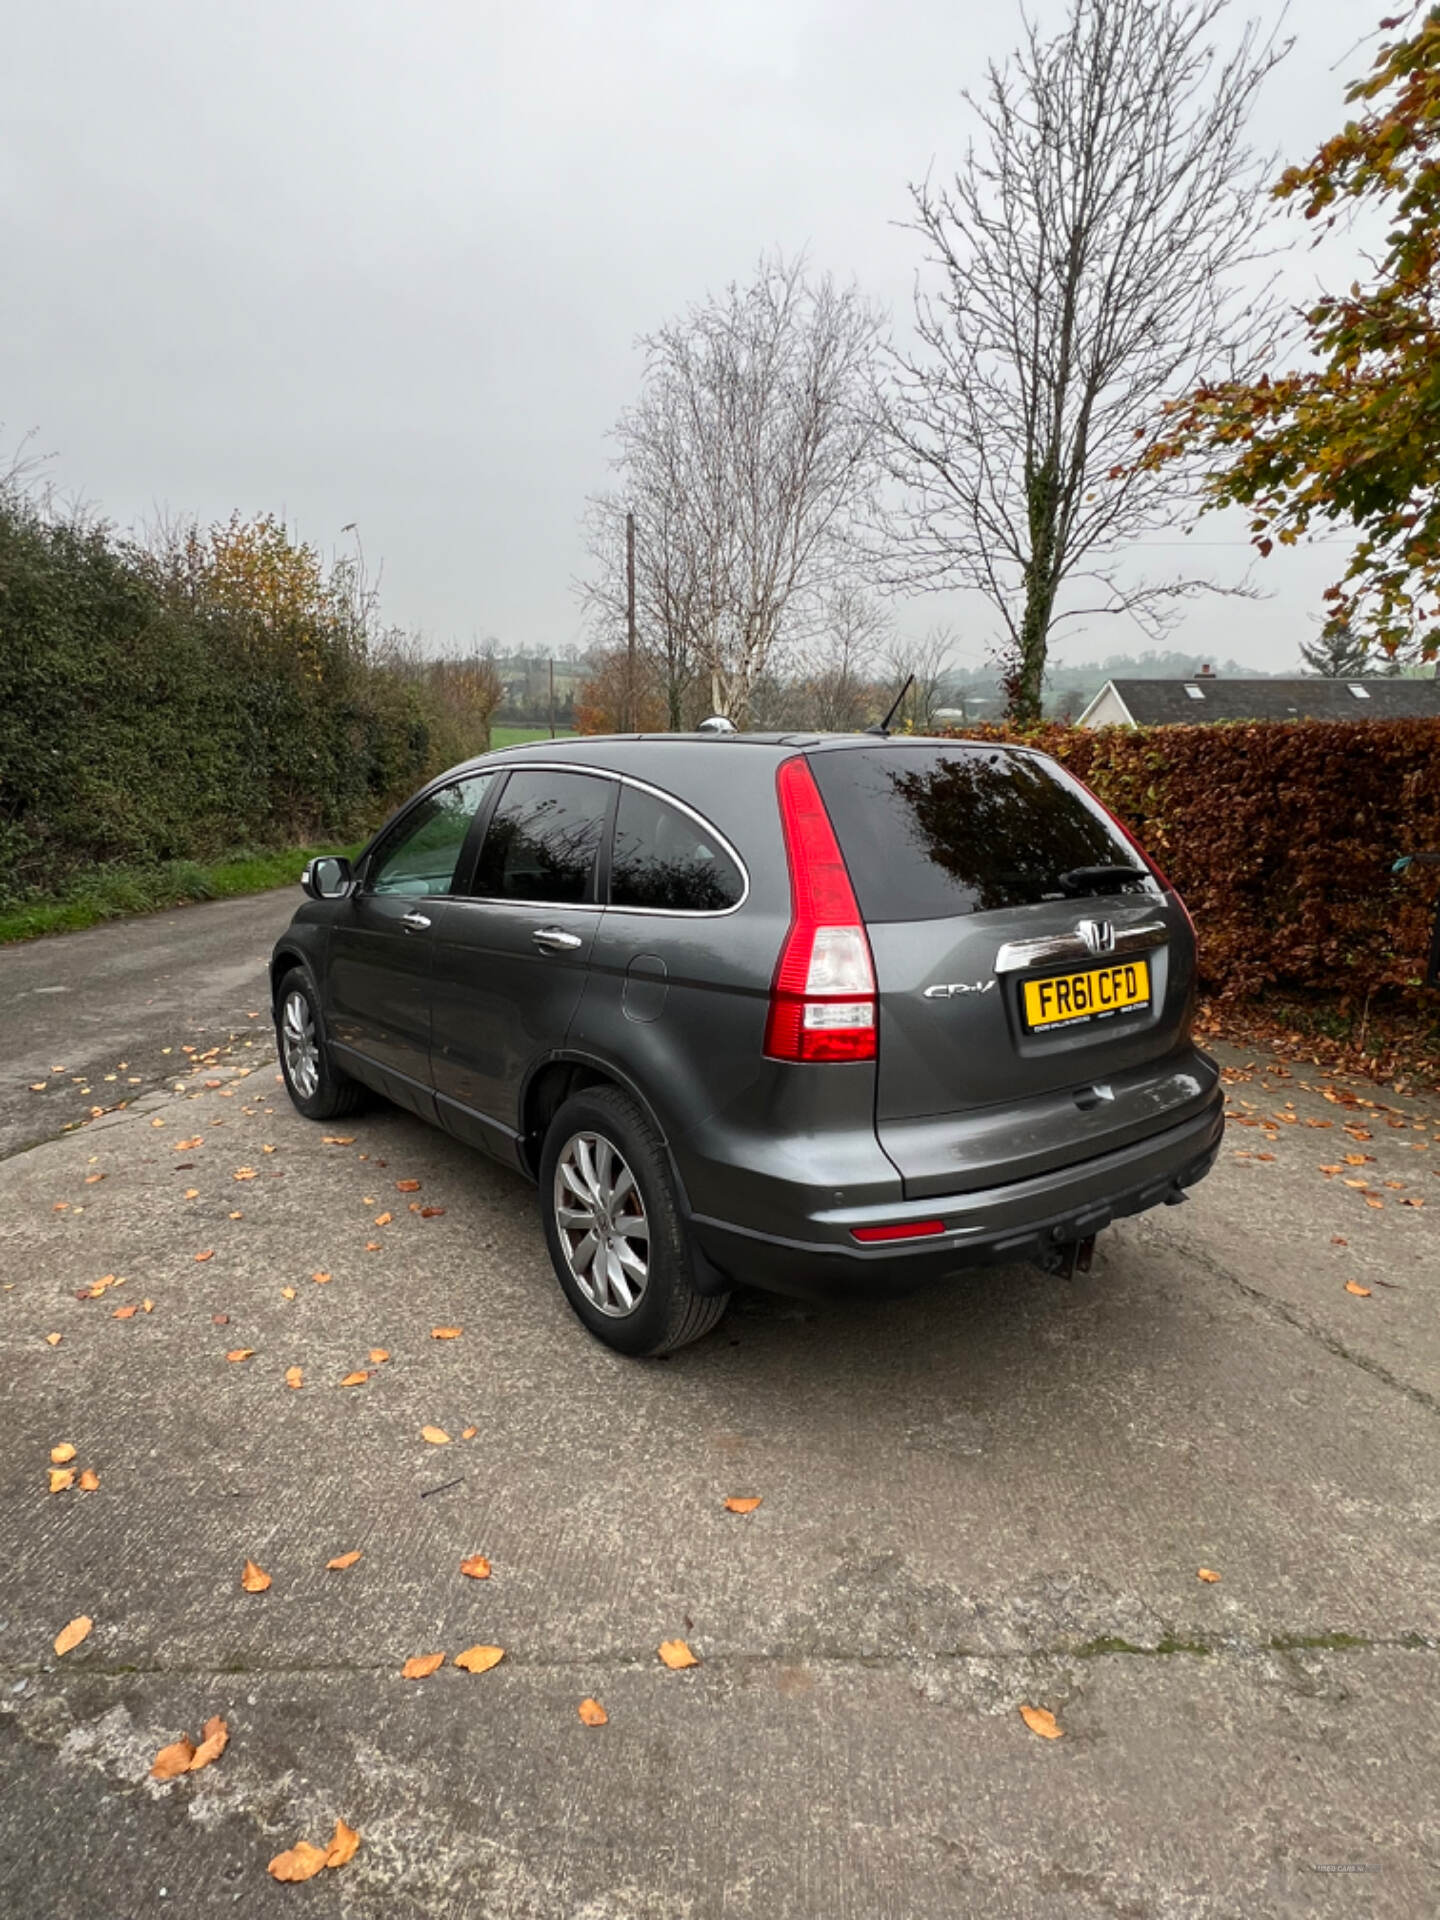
(823, 999)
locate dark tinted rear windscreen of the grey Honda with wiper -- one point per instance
(949, 830)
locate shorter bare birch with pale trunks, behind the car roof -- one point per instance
(748, 462)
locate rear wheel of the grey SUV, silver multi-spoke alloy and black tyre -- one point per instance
(615, 1230)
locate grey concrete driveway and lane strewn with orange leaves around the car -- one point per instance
(986, 1499)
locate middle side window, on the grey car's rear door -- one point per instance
(544, 838)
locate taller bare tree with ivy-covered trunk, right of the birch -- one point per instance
(1092, 256)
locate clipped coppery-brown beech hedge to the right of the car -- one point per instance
(1282, 838)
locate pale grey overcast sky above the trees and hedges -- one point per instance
(387, 264)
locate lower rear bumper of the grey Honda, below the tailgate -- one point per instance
(1019, 1222)
